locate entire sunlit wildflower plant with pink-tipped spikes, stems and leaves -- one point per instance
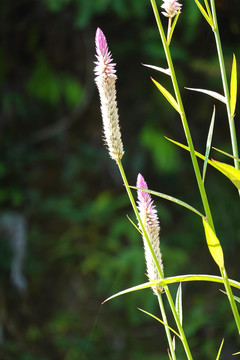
(145, 211)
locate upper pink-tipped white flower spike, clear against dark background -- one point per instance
(105, 81)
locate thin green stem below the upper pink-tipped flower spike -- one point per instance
(167, 291)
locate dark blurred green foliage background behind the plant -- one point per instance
(75, 246)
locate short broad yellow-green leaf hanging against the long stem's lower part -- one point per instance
(214, 245)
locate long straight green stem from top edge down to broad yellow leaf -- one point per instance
(183, 117)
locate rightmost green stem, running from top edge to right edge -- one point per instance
(225, 86)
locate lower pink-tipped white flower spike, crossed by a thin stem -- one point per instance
(149, 217)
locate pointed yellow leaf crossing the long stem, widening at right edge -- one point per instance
(231, 172)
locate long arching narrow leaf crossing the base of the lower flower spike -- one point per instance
(173, 280)
